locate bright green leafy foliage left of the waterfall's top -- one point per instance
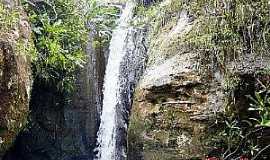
(60, 31)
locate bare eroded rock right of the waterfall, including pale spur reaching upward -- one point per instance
(175, 103)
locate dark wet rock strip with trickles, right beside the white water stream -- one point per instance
(131, 69)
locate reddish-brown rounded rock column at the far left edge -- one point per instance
(15, 76)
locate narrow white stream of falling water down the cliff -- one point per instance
(107, 132)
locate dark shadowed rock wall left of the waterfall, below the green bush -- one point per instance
(64, 127)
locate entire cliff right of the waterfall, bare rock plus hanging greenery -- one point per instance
(218, 42)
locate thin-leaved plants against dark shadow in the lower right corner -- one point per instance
(243, 128)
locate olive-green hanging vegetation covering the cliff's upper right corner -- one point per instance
(230, 30)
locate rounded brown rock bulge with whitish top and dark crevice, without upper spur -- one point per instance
(172, 112)
